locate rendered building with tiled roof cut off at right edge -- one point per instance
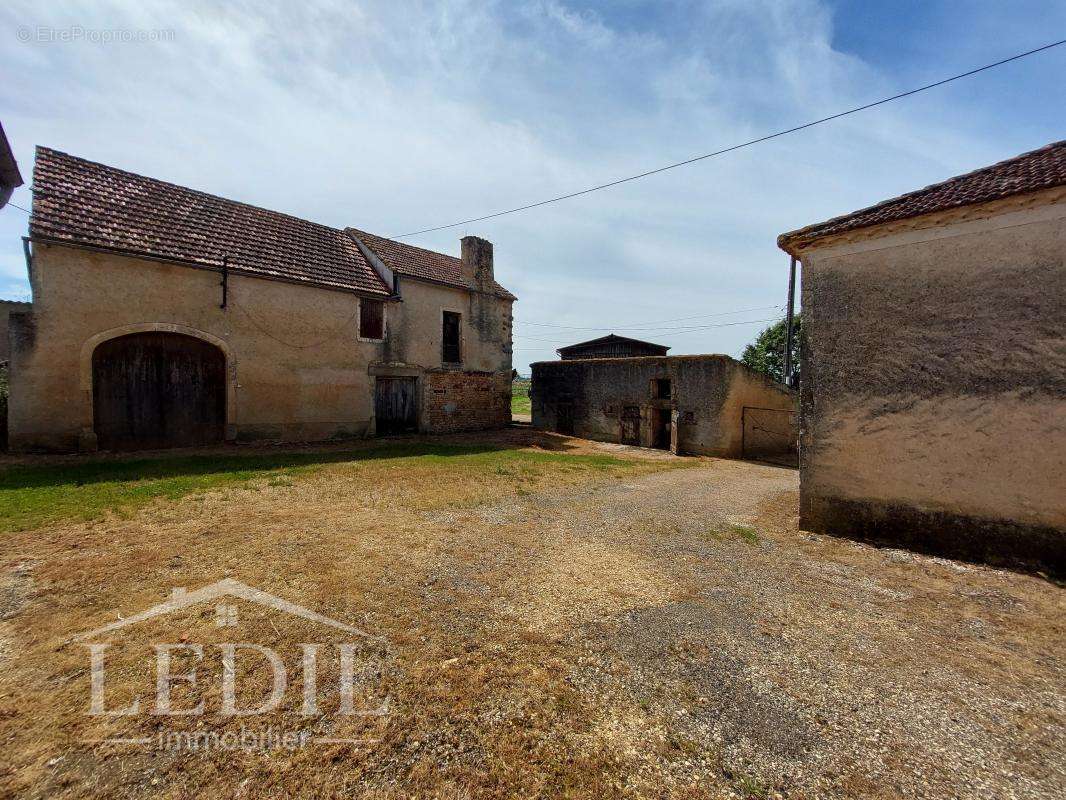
(934, 382)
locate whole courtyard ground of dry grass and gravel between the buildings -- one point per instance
(657, 631)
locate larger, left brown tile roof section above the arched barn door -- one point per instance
(86, 203)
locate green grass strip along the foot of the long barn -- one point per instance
(34, 497)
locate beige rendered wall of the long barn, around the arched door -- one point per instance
(297, 367)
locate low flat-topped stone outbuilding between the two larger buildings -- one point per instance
(698, 405)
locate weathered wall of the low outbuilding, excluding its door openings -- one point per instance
(709, 394)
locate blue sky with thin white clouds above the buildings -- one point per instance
(394, 117)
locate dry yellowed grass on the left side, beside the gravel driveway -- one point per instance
(352, 537)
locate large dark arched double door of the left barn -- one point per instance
(158, 390)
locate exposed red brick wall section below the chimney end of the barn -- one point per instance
(466, 402)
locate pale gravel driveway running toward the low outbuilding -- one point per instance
(726, 649)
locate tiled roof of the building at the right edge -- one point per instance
(1029, 172)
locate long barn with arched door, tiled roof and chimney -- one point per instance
(163, 316)
